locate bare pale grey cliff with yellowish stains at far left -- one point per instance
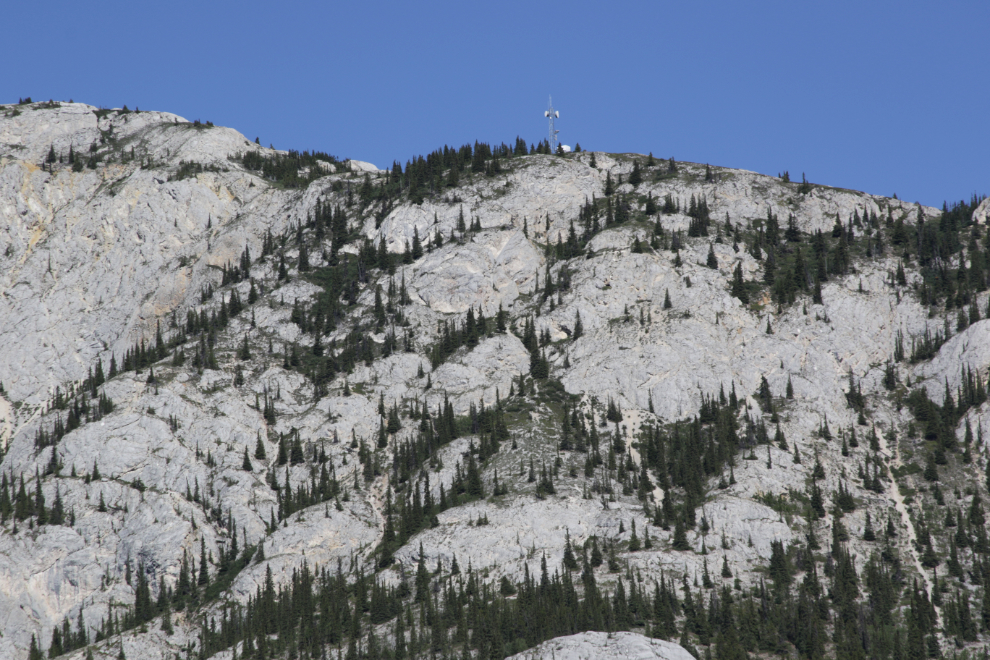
(94, 258)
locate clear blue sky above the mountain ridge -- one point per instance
(878, 96)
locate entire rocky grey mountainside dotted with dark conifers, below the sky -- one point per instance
(259, 403)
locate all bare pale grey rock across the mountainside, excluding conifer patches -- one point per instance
(95, 259)
